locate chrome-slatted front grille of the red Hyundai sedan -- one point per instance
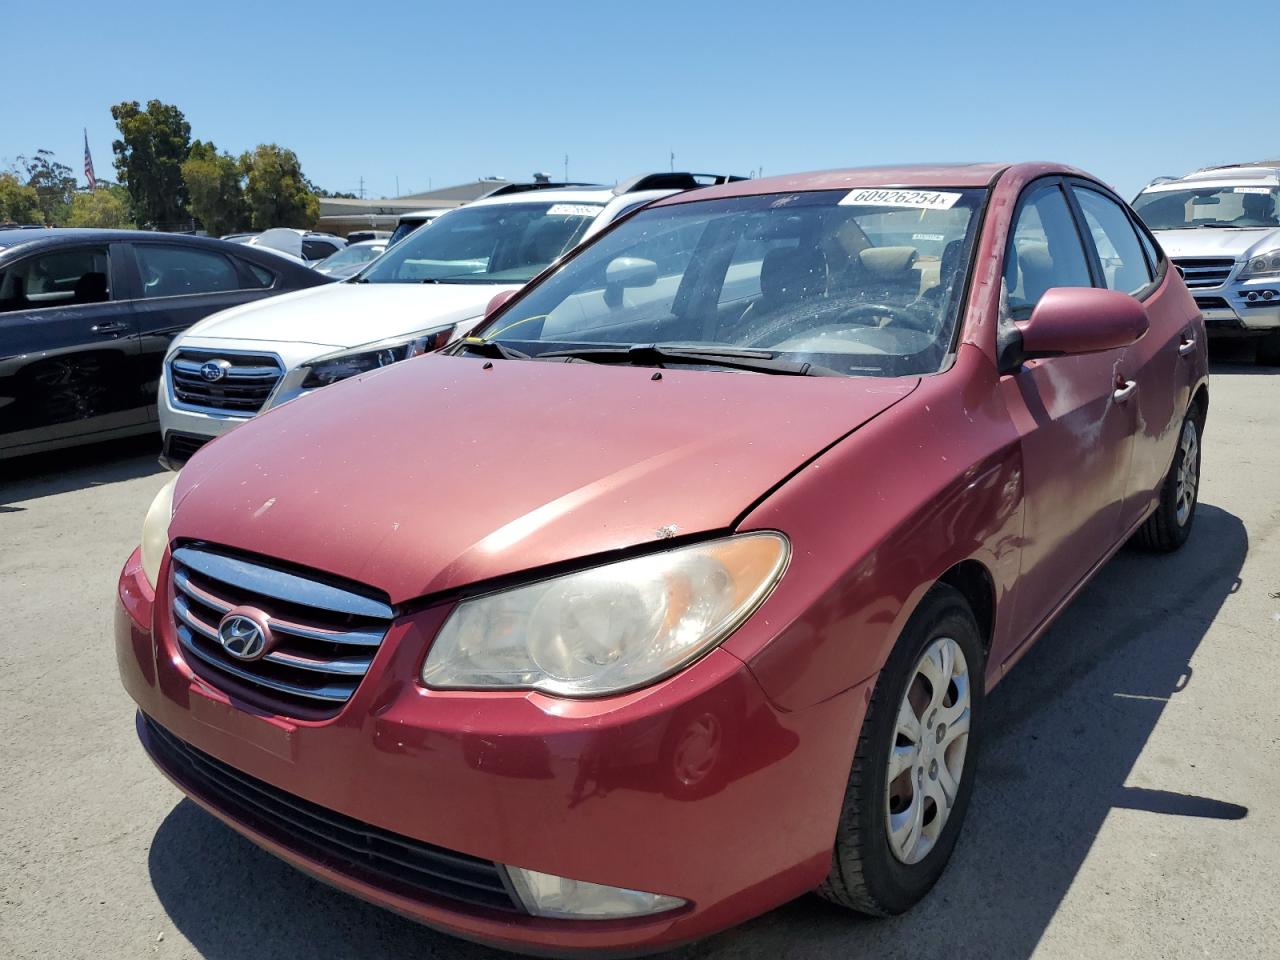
(326, 637)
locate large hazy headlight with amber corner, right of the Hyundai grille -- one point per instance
(609, 629)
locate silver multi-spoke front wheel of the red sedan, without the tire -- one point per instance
(927, 757)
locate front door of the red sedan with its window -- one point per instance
(1073, 413)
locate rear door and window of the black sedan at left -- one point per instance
(177, 286)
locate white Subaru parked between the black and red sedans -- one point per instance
(420, 295)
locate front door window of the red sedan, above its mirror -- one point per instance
(1044, 252)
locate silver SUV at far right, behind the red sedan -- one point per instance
(1222, 227)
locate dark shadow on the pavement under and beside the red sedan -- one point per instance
(1063, 735)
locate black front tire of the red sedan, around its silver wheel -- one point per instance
(866, 876)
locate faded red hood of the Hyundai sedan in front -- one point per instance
(438, 473)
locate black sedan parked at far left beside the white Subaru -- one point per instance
(86, 318)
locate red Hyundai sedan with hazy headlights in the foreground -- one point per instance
(675, 592)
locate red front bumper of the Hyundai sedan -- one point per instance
(697, 788)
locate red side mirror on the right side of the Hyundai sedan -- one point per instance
(1080, 321)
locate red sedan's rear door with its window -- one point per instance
(1160, 363)
